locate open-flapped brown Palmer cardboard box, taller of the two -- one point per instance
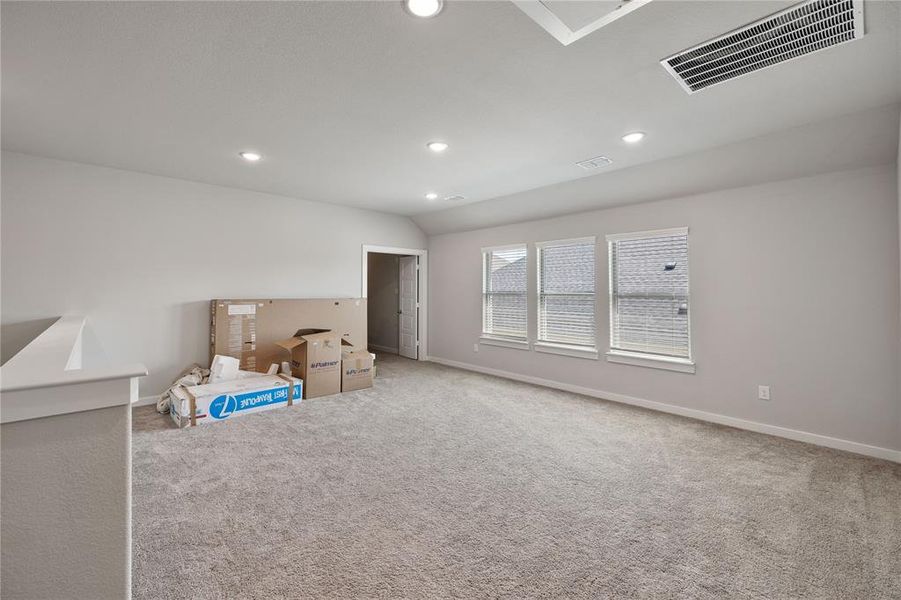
(316, 358)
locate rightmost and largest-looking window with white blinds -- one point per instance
(649, 293)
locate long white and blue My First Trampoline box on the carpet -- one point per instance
(213, 402)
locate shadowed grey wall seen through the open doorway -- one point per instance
(382, 300)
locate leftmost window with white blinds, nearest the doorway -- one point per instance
(504, 289)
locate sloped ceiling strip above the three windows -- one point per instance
(852, 141)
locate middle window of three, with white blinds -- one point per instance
(566, 303)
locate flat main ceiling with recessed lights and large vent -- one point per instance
(341, 97)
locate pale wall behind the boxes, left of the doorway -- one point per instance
(142, 255)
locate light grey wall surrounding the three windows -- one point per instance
(794, 284)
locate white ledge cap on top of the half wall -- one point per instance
(54, 359)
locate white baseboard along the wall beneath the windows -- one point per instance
(784, 432)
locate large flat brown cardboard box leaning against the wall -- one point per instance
(249, 329)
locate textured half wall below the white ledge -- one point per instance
(66, 498)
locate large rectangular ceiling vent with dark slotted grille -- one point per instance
(802, 29)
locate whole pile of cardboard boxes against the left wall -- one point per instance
(326, 355)
